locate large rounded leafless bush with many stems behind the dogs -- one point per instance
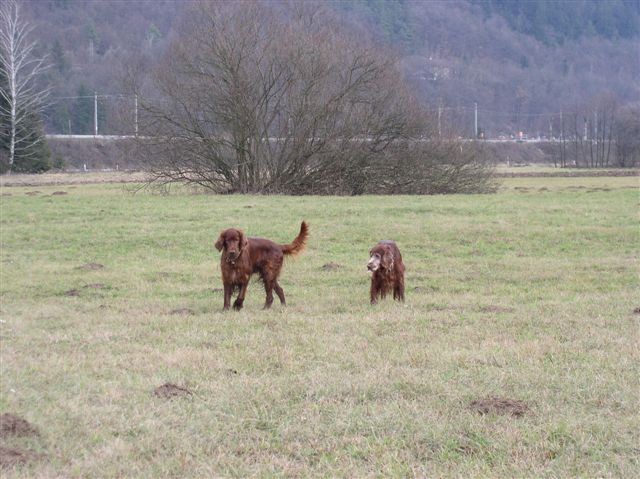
(258, 97)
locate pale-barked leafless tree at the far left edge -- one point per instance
(22, 97)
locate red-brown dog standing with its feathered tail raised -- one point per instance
(242, 256)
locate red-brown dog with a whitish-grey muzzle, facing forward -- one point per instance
(388, 271)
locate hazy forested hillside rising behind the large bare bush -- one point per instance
(522, 62)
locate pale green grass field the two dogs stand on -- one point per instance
(526, 295)
